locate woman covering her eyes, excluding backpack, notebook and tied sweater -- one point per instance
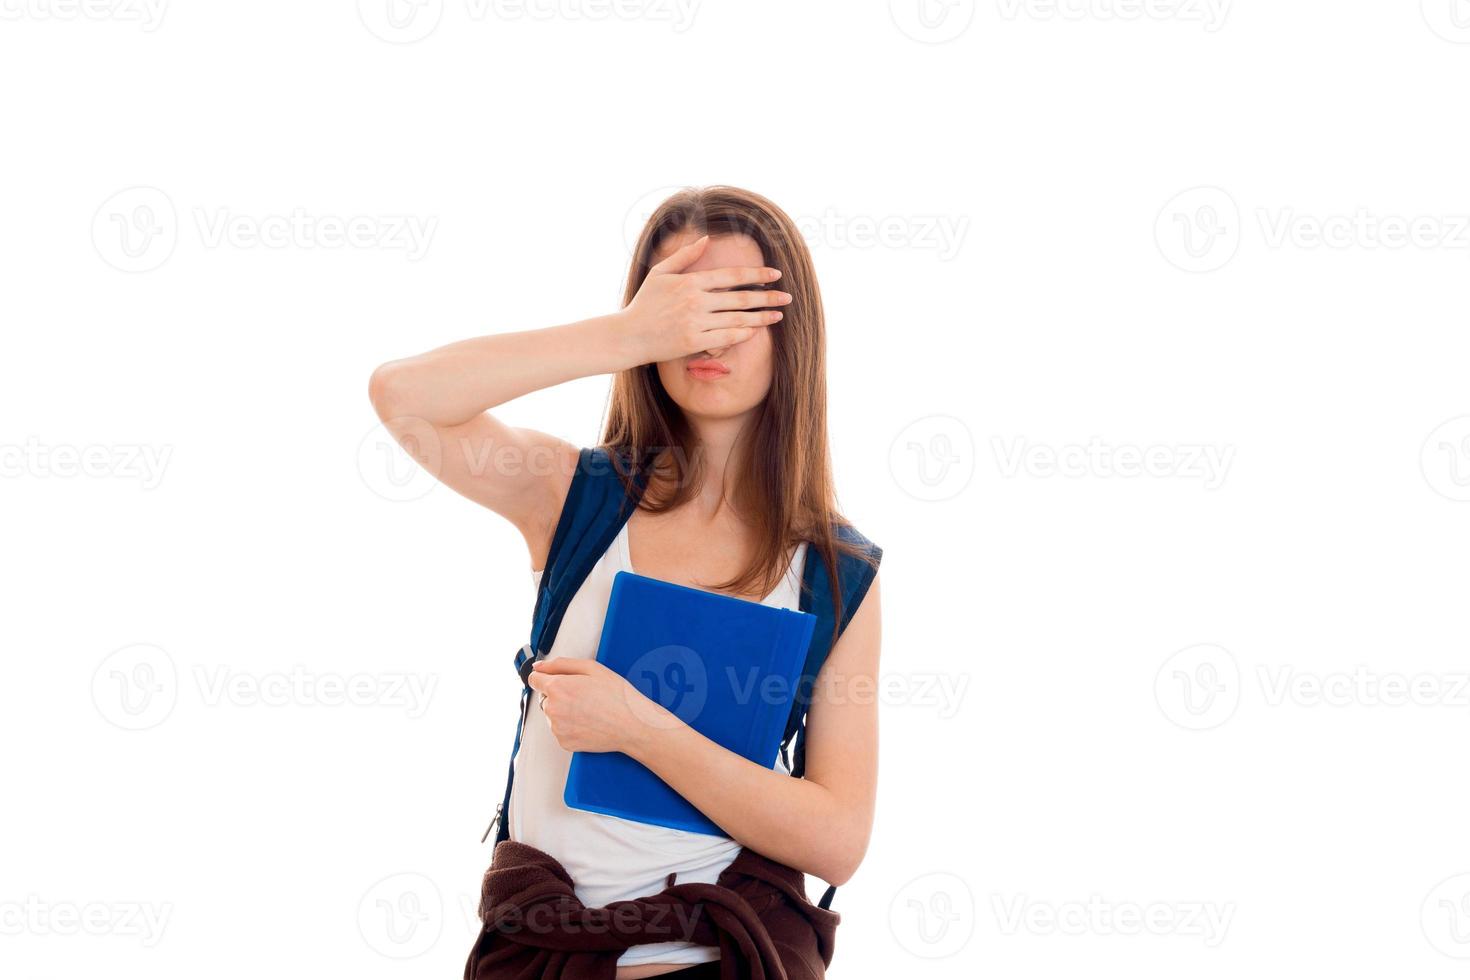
(720, 394)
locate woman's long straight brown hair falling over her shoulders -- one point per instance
(784, 474)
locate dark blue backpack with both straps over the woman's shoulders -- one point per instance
(598, 508)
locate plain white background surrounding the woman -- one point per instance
(1224, 699)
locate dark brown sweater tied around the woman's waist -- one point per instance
(758, 915)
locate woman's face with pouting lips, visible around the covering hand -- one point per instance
(724, 383)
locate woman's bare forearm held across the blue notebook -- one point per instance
(792, 821)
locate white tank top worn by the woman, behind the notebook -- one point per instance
(611, 859)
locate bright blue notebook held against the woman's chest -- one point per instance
(728, 668)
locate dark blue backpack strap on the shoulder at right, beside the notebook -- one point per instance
(856, 574)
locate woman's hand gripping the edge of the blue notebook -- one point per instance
(592, 709)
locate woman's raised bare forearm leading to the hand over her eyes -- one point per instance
(456, 383)
